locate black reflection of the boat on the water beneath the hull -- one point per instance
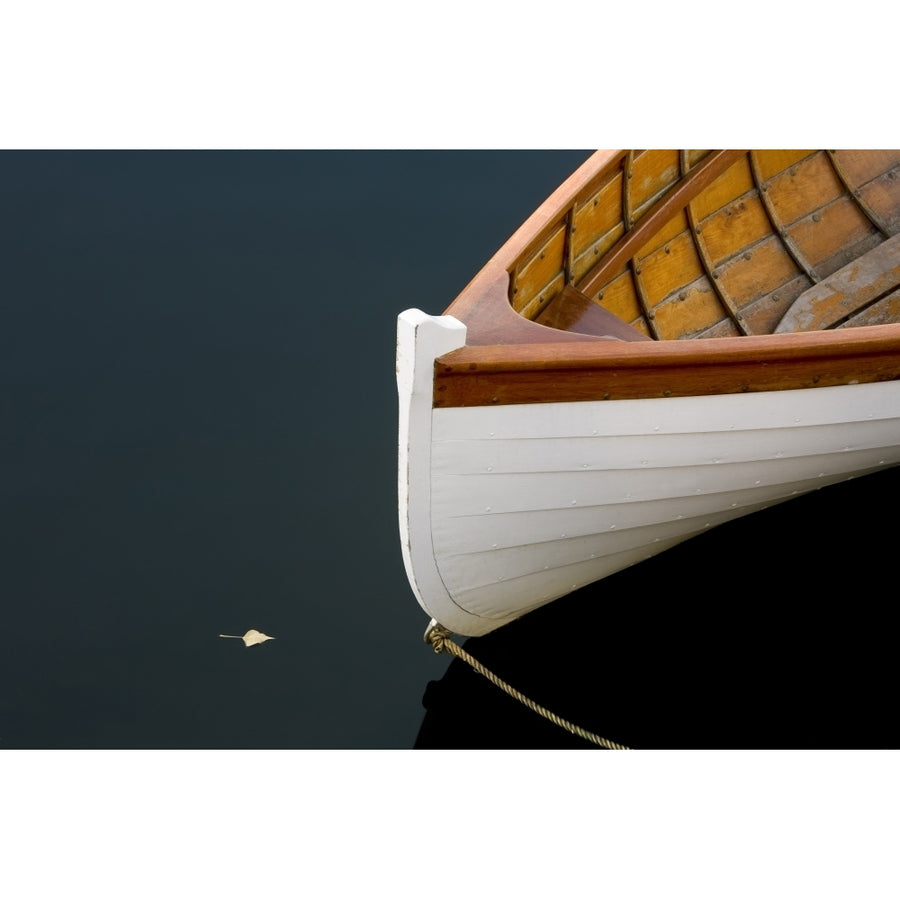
(774, 631)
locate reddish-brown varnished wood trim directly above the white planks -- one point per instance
(614, 370)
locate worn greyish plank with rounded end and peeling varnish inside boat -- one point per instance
(858, 285)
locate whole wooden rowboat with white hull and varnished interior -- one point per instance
(671, 340)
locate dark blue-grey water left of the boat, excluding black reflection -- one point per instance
(199, 430)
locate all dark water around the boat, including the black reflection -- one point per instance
(199, 436)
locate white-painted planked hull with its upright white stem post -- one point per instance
(505, 508)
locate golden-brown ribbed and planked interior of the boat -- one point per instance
(676, 244)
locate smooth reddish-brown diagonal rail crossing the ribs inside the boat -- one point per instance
(677, 198)
